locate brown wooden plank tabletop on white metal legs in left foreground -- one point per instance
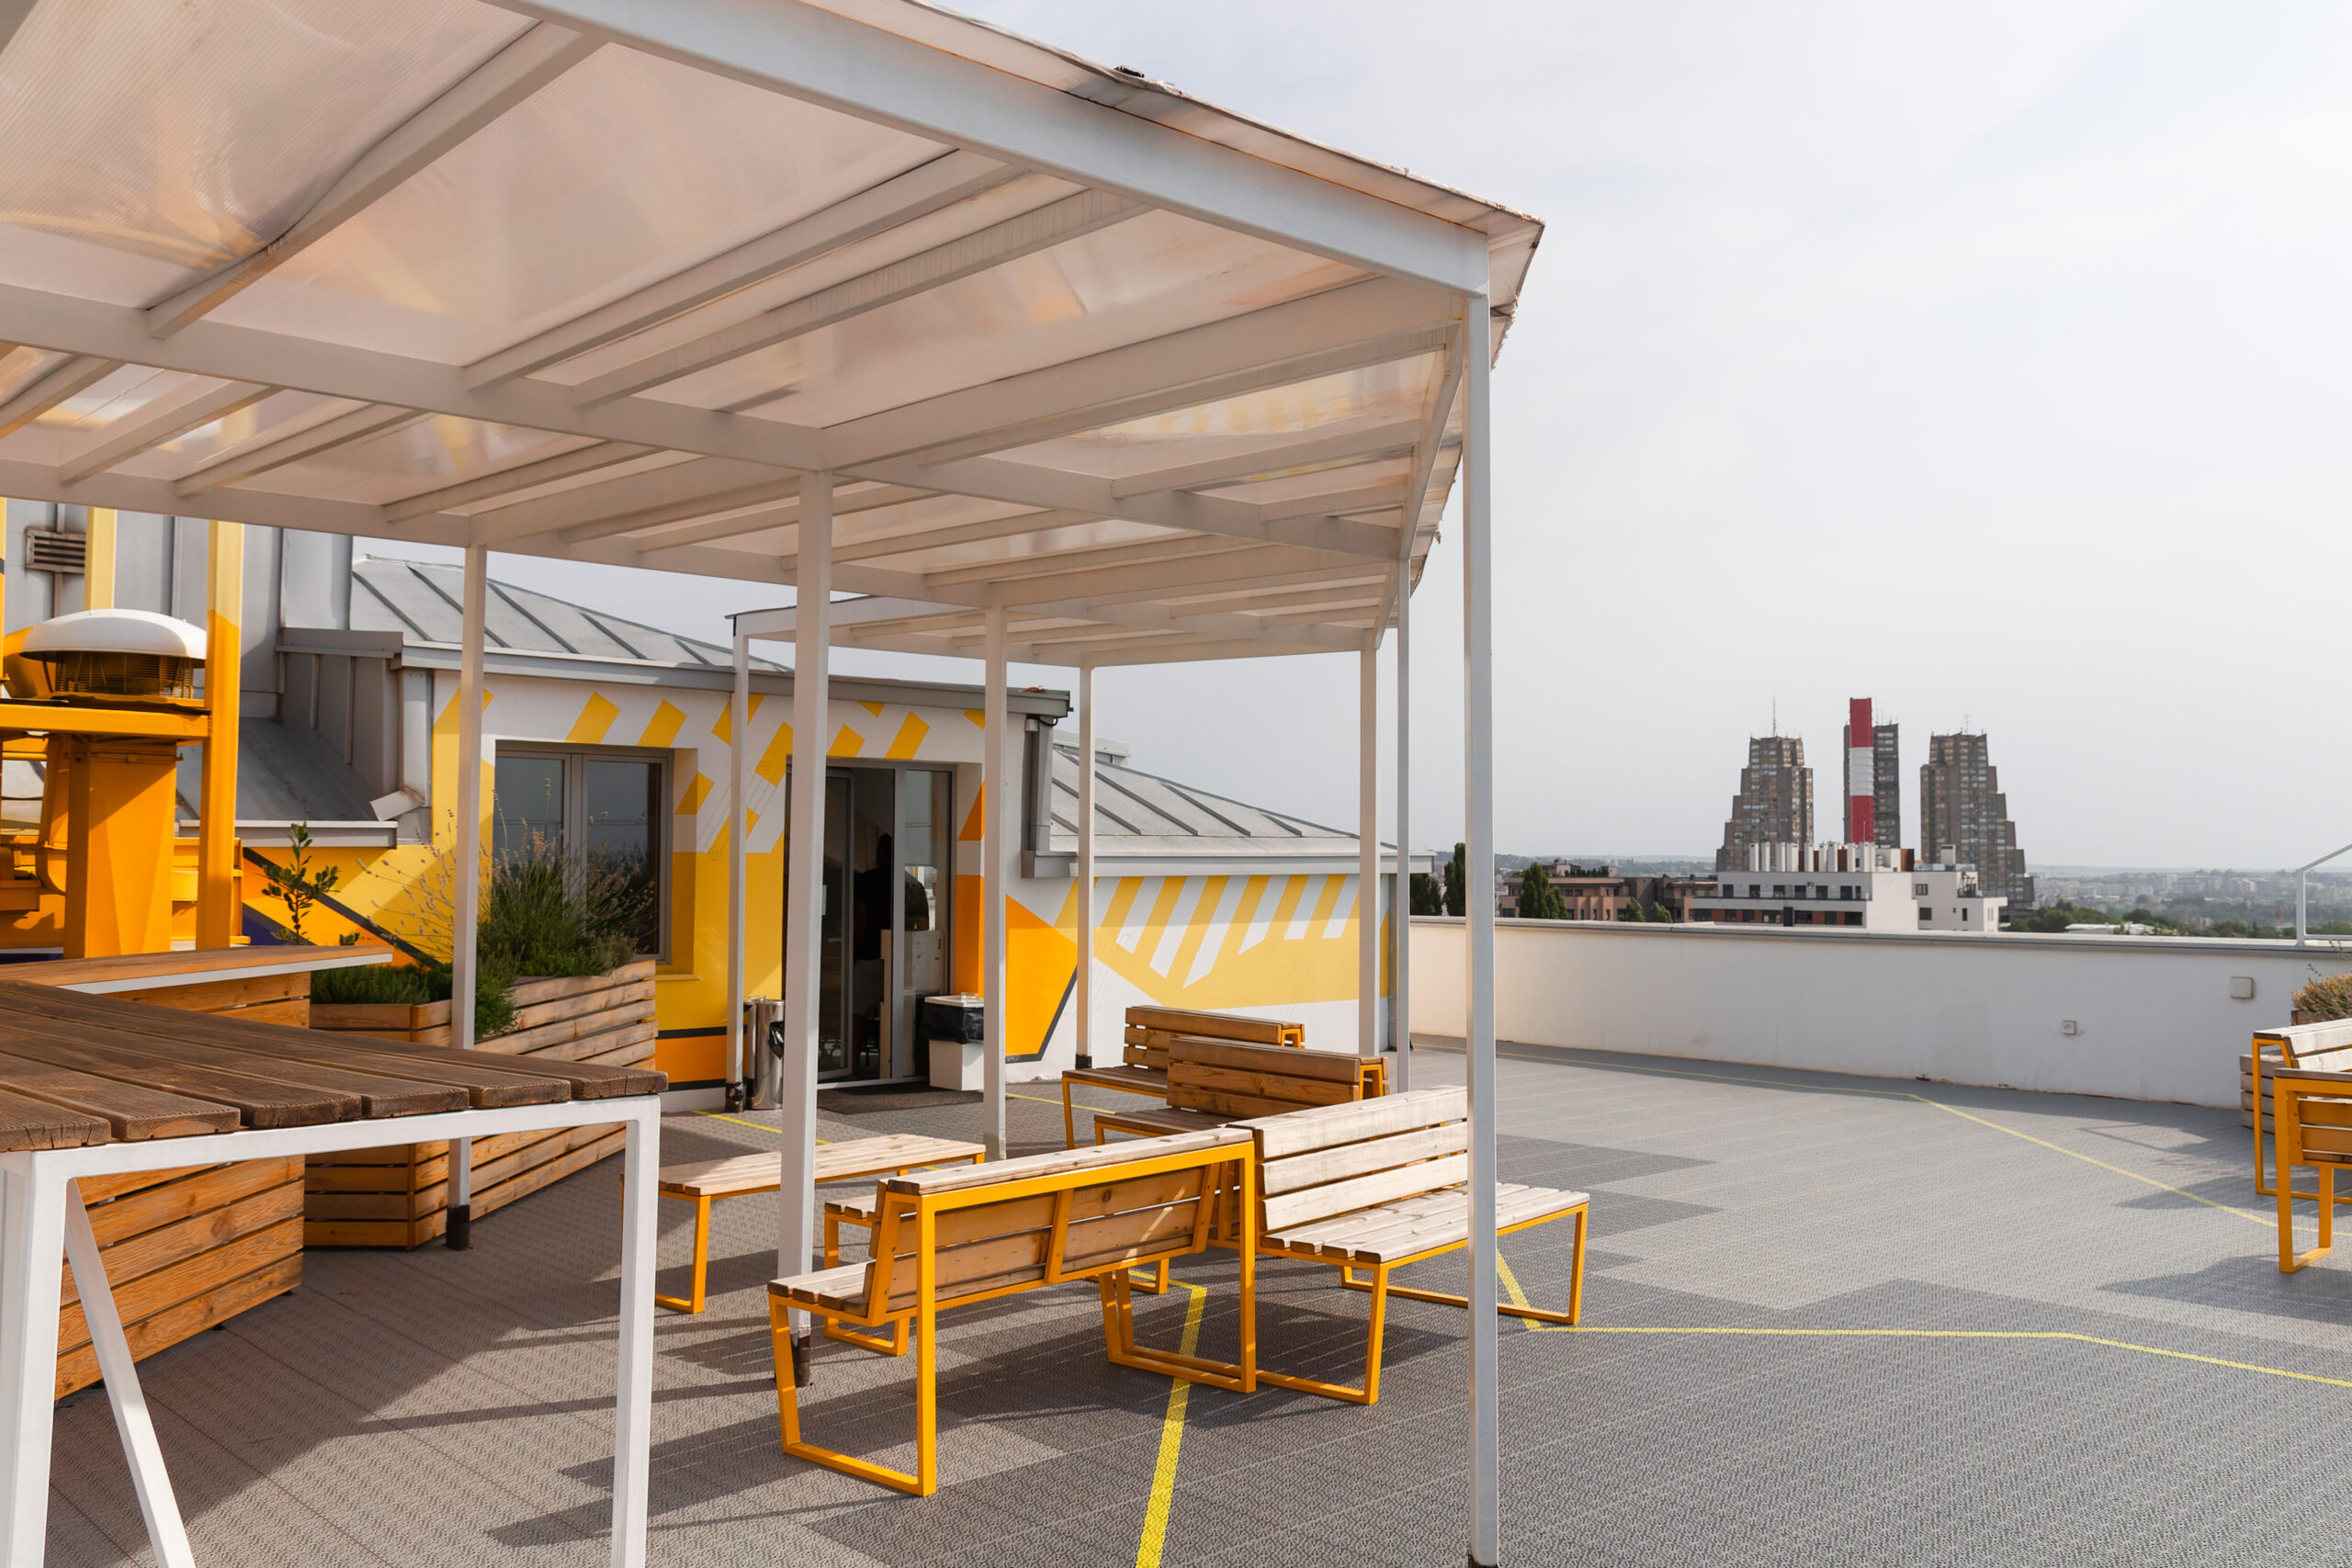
(79, 1068)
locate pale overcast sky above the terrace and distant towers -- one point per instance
(1979, 359)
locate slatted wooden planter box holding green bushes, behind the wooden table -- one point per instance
(401, 1195)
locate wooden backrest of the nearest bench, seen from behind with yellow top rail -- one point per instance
(1053, 1217)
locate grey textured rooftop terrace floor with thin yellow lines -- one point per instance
(1831, 1320)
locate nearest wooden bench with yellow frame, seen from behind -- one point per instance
(958, 1238)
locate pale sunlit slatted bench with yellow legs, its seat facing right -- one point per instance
(1377, 1186)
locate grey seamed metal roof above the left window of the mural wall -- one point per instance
(422, 601)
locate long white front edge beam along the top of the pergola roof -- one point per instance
(893, 79)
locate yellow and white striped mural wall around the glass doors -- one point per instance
(1281, 946)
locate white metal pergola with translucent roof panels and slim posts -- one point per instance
(1043, 361)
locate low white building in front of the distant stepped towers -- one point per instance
(1866, 887)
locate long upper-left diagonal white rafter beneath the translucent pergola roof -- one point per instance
(507, 79)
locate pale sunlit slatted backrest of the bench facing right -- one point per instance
(1316, 1165)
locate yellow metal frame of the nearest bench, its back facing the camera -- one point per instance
(904, 1205)
